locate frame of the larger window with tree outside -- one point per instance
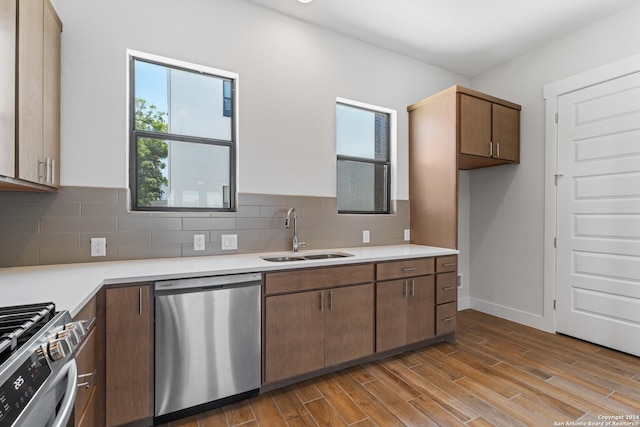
(134, 134)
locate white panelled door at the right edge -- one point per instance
(598, 214)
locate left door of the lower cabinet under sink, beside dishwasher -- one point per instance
(294, 334)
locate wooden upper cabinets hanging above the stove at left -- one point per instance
(30, 101)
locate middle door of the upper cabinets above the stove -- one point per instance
(30, 85)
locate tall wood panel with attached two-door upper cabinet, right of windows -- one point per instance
(455, 129)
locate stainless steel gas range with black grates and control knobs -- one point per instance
(38, 374)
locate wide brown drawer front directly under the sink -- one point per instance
(317, 278)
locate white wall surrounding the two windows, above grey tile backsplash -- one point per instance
(290, 75)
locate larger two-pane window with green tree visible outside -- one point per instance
(182, 136)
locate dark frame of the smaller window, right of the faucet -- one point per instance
(390, 143)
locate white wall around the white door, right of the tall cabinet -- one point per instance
(507, 202)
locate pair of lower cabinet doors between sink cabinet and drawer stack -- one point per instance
(404, 312)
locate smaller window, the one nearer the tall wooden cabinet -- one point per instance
(363, 134)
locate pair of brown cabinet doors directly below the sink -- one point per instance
(307, 331)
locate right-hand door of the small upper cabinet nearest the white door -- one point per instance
(506, 133)
